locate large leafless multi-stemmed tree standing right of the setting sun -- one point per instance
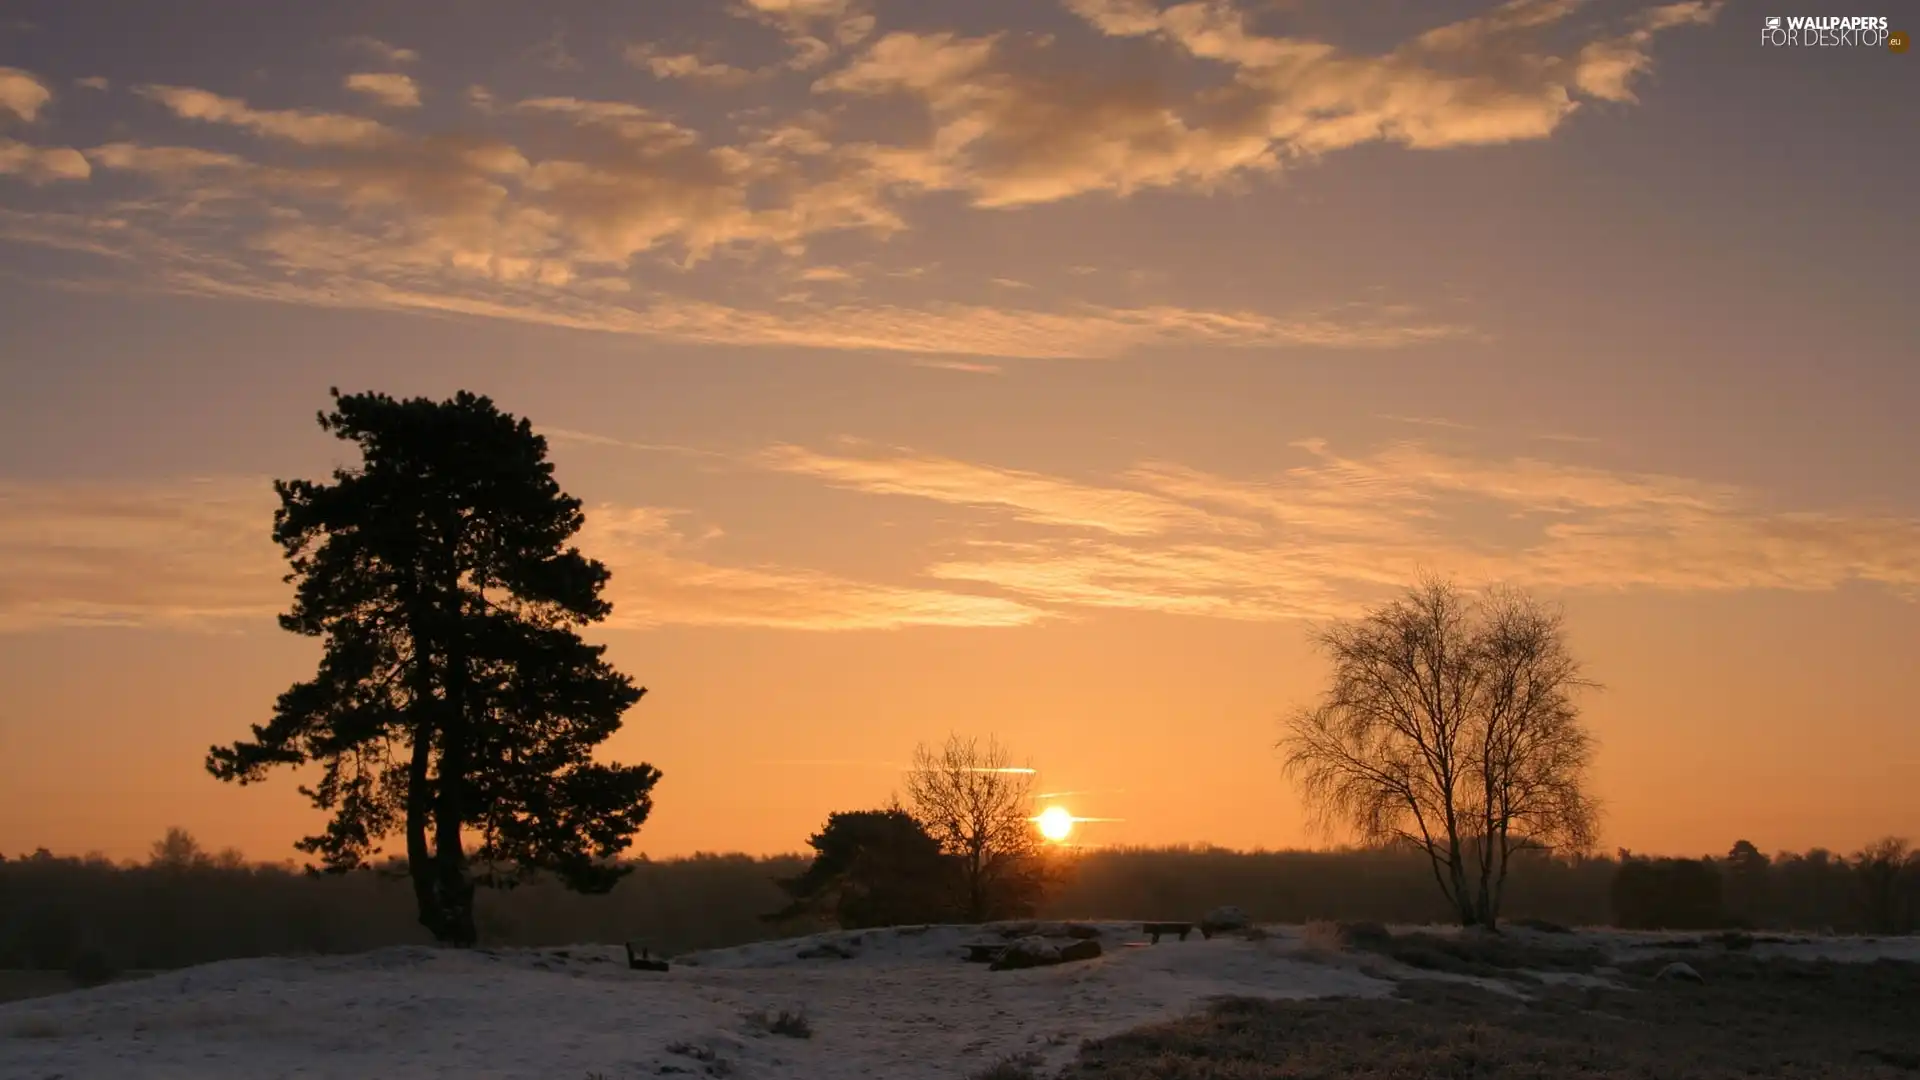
(1451, 727)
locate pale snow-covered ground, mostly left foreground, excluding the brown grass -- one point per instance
(900, 1004)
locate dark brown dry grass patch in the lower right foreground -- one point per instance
(1792, 1021)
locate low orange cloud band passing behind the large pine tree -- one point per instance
(199, 554)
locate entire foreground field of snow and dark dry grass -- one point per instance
(1280, 1002)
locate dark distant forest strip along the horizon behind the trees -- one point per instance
(185, 906)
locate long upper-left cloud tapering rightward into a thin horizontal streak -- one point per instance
(464, 257)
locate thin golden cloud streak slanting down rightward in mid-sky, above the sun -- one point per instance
(1030, 497)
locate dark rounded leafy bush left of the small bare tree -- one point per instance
(873, 870)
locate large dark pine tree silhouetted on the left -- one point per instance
(456, 702)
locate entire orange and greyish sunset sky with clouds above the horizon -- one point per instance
(1032, 370)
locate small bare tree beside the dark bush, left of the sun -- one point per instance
(980, 806)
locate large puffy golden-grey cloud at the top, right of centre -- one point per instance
(1013, 130)
